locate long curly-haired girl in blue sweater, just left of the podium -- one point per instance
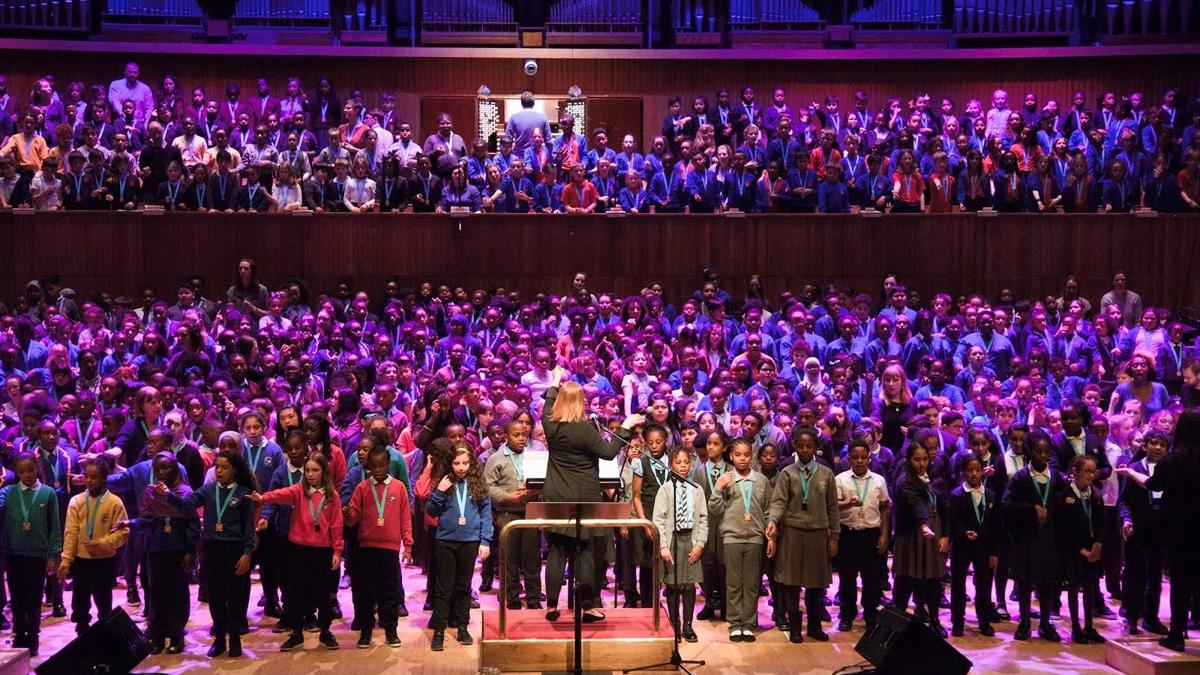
(465, 531)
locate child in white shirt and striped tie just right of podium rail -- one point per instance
(681, 511)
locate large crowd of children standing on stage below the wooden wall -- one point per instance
(813, 433)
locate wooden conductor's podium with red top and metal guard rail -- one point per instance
(523, 641)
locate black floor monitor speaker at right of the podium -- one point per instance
(898, 643)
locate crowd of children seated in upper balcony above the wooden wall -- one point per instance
(94, 148)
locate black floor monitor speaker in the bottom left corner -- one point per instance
(112, 646)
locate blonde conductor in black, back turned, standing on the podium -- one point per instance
(573, 475)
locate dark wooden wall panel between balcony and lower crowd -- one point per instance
(958, 254)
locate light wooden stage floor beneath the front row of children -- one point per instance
(771, 654)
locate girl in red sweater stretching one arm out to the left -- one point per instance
(315, 535)
